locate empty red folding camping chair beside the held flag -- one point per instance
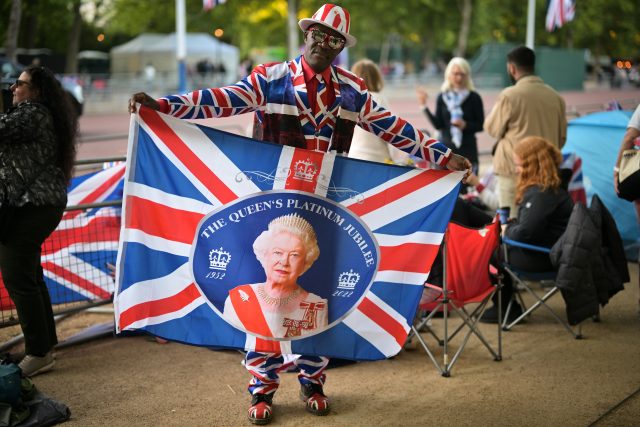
(466, 281)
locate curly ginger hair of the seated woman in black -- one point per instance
(540, 161)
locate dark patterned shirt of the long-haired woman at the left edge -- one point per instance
(28, 153)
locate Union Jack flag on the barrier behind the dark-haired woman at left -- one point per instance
(75, 256)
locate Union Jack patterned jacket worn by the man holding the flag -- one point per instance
(277, 94)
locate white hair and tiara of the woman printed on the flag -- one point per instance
(293, 224)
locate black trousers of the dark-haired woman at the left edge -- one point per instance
(22, 274)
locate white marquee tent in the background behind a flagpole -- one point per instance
(160, 51)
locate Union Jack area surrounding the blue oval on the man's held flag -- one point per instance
(179, 172)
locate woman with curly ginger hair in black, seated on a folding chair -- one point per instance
(544, 208)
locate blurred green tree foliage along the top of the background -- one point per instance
(429, 27)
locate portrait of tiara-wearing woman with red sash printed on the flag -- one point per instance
(280, 307)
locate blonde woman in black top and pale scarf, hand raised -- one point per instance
(459, 111)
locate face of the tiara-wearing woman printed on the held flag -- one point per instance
(285, 259)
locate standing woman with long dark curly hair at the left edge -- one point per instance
(37, 151)
